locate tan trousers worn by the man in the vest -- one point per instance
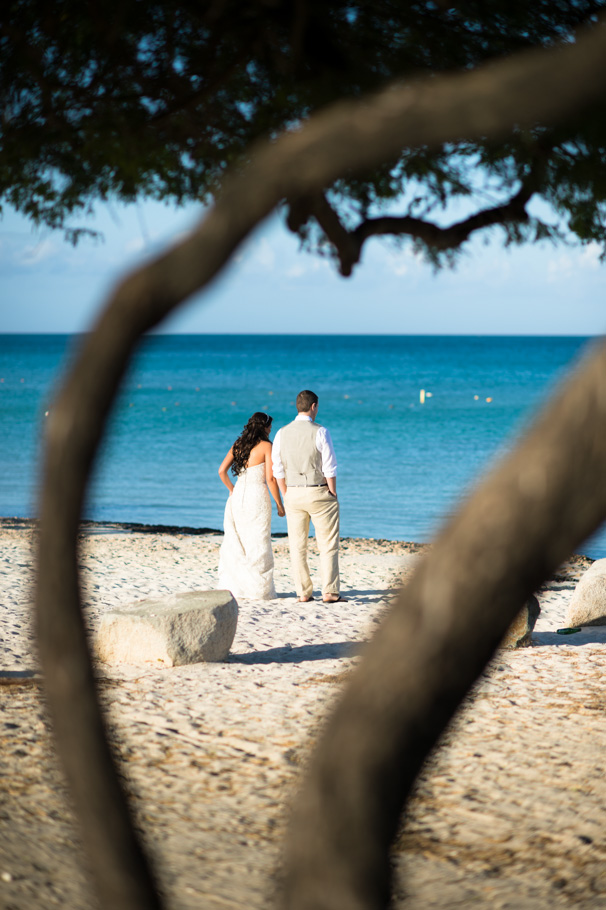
(303, 504)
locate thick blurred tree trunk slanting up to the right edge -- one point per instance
(519, 525)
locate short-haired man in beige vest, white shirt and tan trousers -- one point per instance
(305, 466)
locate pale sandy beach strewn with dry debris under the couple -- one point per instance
(508, 812)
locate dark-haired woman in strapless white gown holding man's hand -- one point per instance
(246, 561)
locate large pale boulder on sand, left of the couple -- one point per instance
(170, 631)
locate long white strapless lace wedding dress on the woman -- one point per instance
(246, 560)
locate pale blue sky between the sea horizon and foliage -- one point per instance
(46, 285)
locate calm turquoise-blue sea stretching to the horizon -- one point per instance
(403, 465)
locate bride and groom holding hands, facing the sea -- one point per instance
(300, 466)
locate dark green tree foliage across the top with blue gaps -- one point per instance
(151, 98)
